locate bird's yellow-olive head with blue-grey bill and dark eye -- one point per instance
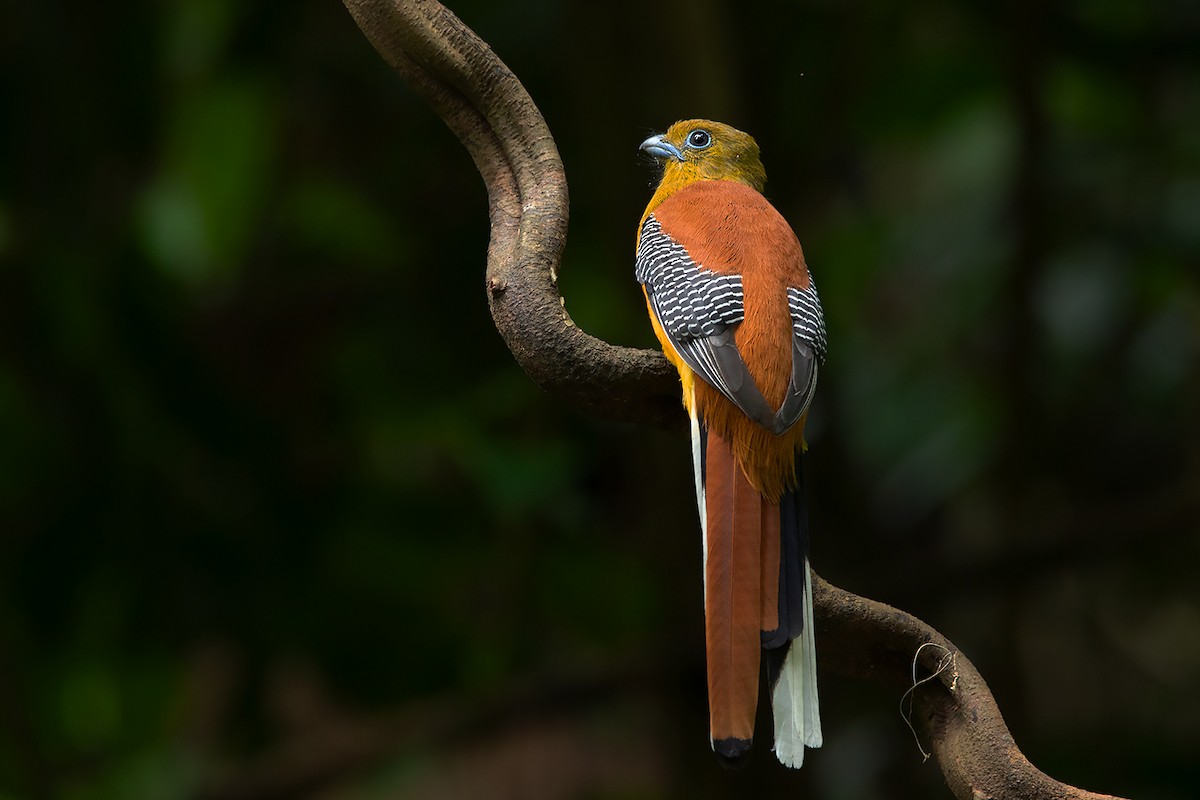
(694, 151)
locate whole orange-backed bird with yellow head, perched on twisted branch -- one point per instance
(734, 305)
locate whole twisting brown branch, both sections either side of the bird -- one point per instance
(488, 109)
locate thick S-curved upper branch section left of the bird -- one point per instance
(488, 109)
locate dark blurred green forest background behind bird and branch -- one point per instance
(280, 518)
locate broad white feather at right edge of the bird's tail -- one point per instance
(795, 703)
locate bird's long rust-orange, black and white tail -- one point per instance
(758, 597)
